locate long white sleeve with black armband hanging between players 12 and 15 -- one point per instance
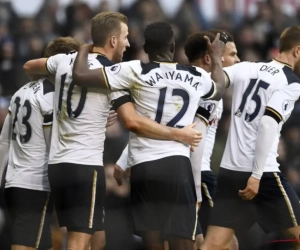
(214, 110)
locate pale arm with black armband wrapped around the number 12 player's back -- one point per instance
(148, 128)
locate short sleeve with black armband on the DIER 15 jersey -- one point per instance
(282, 101)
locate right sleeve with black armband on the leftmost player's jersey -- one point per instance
(46, 101)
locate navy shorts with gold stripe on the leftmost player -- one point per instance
(30, 216)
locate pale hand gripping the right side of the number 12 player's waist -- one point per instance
(191, 136)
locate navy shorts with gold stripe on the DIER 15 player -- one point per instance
(276, 206)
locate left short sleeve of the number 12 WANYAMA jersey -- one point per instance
(119, 76)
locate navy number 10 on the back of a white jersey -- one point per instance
(71, 113)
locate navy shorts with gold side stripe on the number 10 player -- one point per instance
(79, 196)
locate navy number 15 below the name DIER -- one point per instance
(255, 97)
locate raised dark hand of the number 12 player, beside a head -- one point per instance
(217, 47)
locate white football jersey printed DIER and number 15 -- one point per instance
(270, 87)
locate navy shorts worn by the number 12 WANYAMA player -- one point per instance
(163, 197)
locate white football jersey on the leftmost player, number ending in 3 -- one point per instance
(31, 108)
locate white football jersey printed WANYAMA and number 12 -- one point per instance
(167, 93)
